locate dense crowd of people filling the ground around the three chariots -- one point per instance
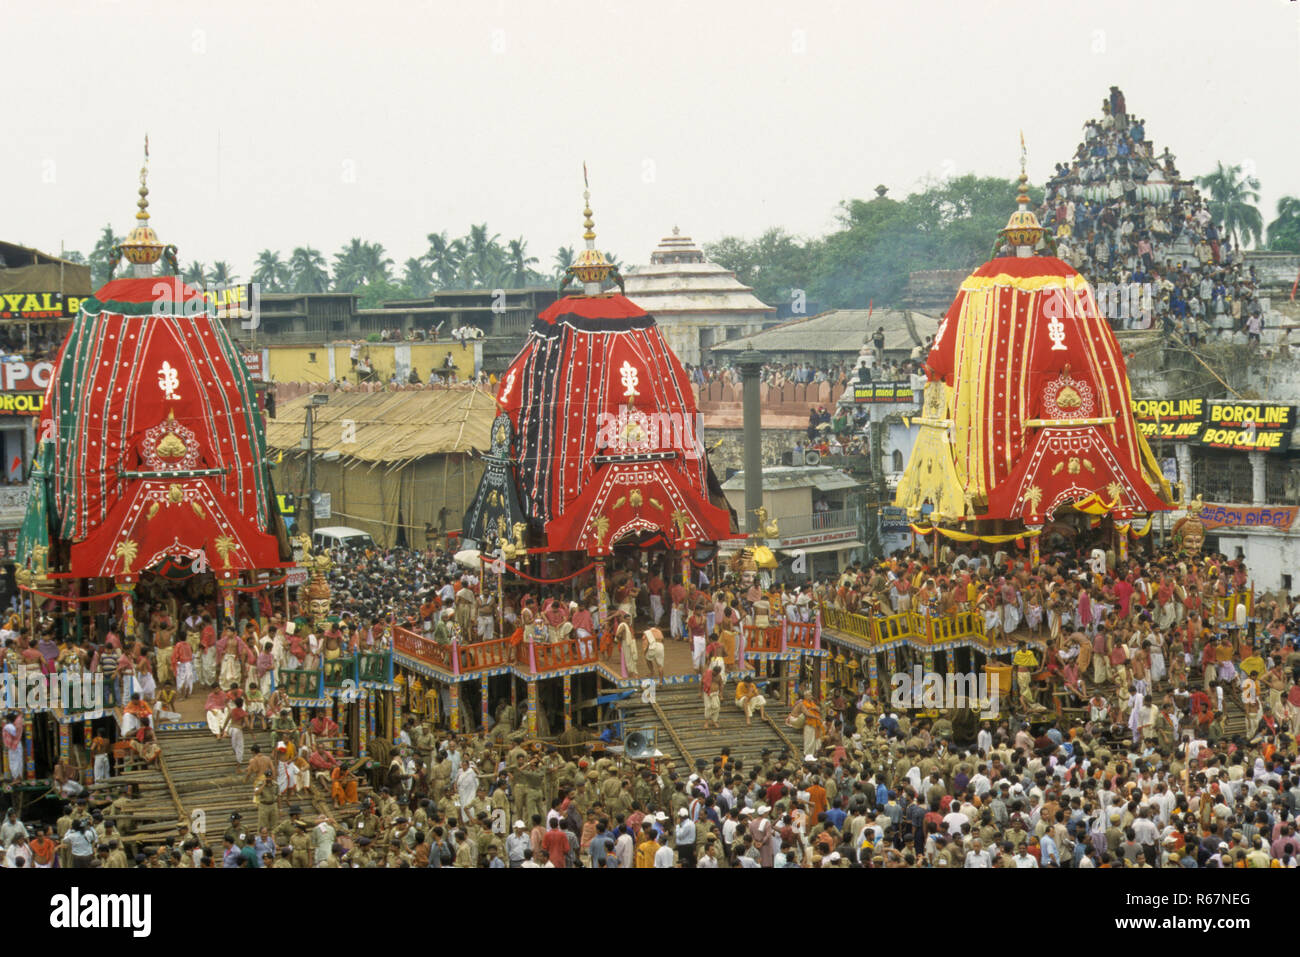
(1149, 725)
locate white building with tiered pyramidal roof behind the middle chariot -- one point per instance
(697, 304)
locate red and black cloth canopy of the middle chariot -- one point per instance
(606, 434)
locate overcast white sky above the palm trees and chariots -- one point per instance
(283, 123)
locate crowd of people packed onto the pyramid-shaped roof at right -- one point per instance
(1145, 237)
